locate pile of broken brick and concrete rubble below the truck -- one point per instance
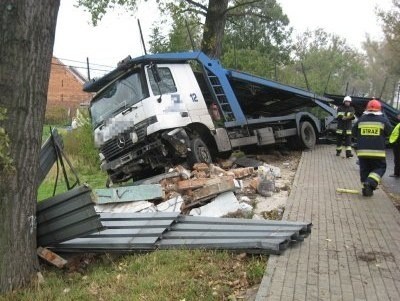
(242, 187)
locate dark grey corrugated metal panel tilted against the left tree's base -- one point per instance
(66, 216)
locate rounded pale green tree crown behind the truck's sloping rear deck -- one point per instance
(326, 61)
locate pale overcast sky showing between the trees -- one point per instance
(117, 34)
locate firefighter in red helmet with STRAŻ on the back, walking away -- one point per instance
(371, 131)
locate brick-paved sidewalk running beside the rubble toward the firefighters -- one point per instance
(353, 252)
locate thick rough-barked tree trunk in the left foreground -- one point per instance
(27, 30)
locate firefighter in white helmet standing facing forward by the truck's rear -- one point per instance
(345, 115)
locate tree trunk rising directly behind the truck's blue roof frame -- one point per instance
(214, 26)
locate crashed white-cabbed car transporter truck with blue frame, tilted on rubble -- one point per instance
(154, 111)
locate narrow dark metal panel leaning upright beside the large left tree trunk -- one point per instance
(48, 155)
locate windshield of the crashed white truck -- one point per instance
(121, 94)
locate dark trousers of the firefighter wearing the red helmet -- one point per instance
(372, 170)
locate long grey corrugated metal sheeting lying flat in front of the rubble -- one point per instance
(158, 230)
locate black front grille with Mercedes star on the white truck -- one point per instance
(123, 143)
